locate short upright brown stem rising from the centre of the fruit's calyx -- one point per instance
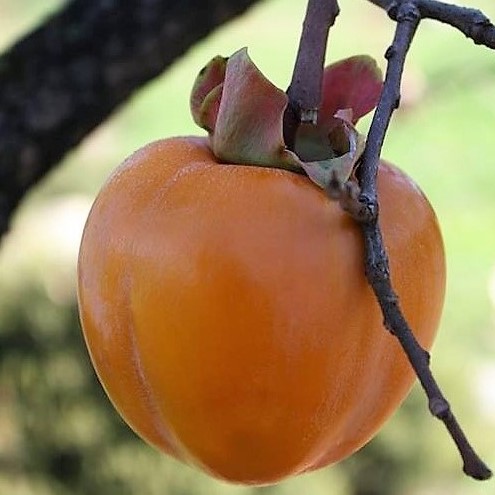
(304, 91)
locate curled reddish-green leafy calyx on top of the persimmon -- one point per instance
(242, 111)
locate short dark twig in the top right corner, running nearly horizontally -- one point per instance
(473, 23)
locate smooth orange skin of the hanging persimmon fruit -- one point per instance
(228, 317)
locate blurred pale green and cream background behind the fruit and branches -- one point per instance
(58, 432)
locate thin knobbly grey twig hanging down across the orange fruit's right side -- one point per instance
(408, 17)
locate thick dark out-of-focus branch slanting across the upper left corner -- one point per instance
(65, 78)
